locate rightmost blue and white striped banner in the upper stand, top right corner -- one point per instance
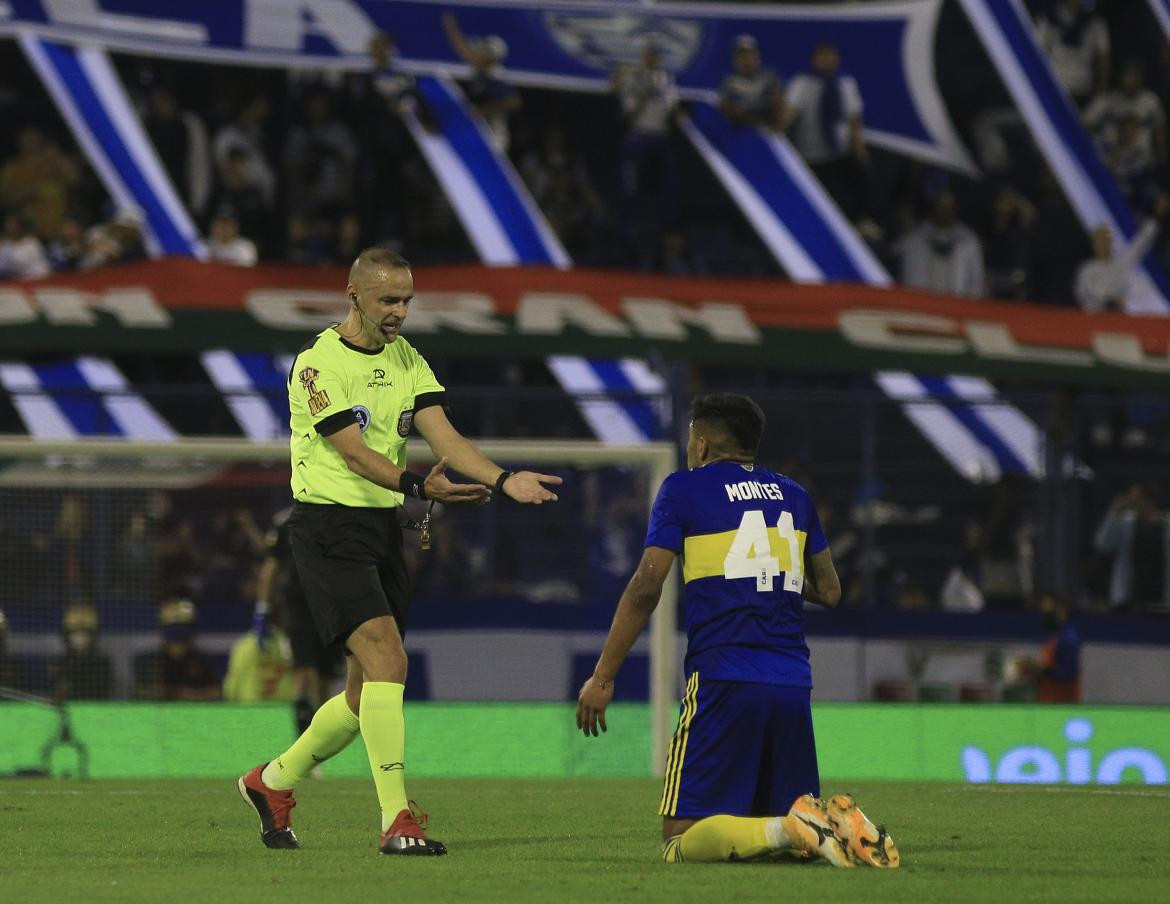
(1007, 33)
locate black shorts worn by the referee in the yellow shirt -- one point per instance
(352, 568)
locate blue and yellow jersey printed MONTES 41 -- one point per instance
(744, 533)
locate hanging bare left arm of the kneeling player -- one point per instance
(635, 610)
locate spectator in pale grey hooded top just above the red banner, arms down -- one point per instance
(944, 254)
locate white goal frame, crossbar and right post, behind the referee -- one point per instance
(112, 463)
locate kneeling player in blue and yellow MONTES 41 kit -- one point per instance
(741, 776)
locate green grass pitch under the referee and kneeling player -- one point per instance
(586, 840)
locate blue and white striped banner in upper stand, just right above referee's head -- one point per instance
(497, 210)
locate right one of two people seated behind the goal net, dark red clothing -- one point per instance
(178, 672)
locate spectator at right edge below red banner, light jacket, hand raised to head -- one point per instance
(1135, 534)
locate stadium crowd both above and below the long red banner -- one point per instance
(311, 168)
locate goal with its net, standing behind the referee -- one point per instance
(112, 550)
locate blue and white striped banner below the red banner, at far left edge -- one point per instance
(85, 397)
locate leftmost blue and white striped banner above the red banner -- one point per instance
(92, 100)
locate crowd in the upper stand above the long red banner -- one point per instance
(309, 168)
